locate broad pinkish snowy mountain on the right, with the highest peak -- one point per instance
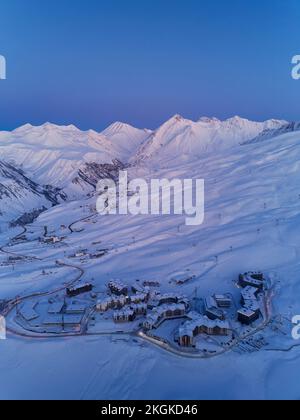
(183, 139)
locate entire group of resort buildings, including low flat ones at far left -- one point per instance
(129, 303)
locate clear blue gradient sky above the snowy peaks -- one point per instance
(94, 62)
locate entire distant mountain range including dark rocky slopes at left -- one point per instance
(46, 165)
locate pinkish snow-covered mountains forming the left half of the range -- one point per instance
(54, 155)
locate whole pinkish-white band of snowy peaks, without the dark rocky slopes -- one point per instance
(55, 155)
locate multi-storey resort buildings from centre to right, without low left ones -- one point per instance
(171, 306)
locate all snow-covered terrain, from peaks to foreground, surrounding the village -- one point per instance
(252, 222)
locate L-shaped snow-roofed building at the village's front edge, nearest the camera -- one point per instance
(201, 325)
